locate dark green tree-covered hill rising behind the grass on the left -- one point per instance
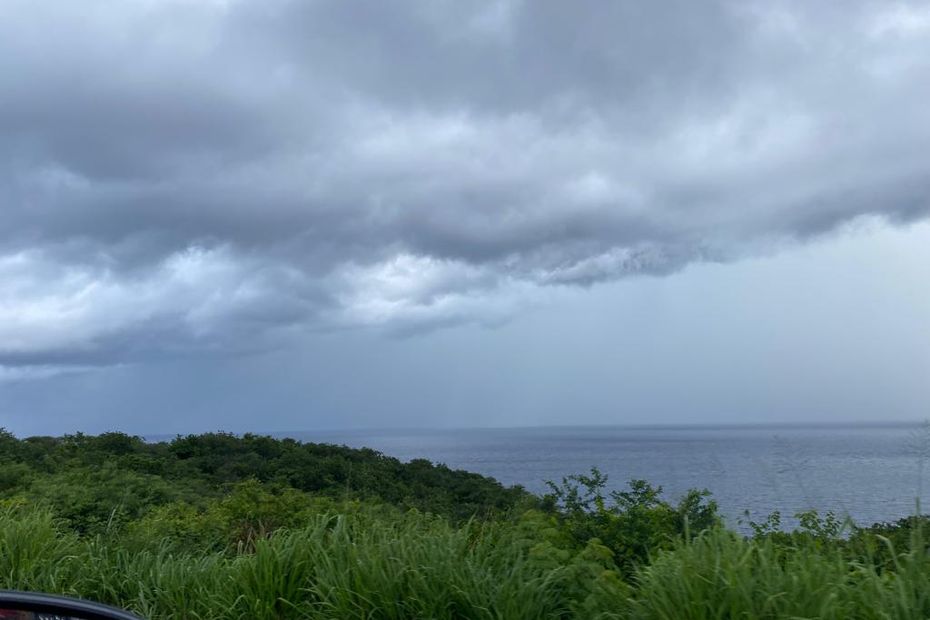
(94, 481)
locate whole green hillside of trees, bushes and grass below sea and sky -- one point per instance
(219, 526)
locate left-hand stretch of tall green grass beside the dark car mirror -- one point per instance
(338, 566)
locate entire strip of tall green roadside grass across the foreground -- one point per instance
(416, 566)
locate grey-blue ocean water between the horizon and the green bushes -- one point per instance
(868, 473)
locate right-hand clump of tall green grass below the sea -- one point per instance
(722, 575)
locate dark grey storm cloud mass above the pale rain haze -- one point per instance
(180, 177)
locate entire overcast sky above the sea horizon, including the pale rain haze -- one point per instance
(290, 215)
